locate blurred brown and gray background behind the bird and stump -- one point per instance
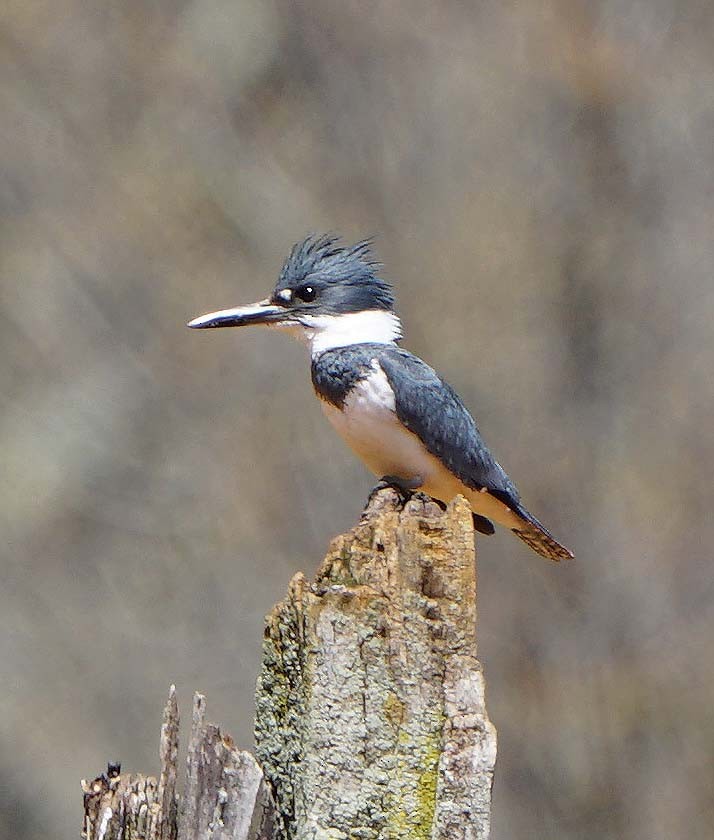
(539, 177)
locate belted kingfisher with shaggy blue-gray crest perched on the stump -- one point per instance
(399, 416)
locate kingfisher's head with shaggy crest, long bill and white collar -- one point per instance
(327, 293)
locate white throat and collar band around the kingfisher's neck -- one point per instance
(325, 332)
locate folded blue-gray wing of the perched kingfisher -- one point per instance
(431, 409)
